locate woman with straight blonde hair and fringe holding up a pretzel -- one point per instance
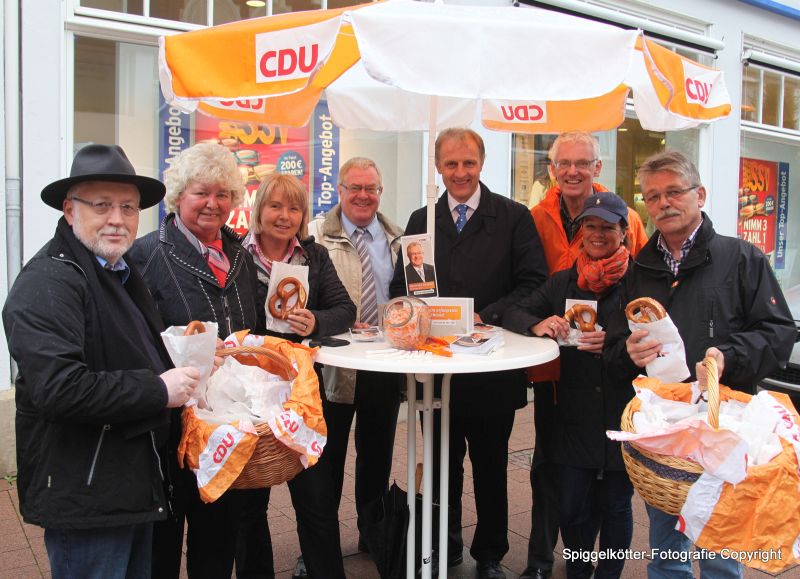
(279, 233)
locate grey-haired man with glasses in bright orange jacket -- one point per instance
(574, 163)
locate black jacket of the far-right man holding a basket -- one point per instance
(724, 295)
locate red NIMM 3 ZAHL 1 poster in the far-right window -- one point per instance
(758, 193)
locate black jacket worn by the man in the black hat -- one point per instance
(88, 396)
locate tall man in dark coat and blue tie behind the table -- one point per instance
(486, 247)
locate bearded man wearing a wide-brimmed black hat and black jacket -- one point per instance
(94, 383)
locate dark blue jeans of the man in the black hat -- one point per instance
(104, 553)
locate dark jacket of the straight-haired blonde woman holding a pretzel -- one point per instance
(327, 299)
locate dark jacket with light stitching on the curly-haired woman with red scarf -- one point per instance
(185, 288)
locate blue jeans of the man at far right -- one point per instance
(668, 541)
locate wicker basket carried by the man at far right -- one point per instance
(663, 481)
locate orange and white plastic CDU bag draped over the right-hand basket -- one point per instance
(756, 521)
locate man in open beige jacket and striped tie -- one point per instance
(363, 244)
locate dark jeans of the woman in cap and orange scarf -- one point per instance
(586, 496)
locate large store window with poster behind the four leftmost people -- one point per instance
(118, 100)
